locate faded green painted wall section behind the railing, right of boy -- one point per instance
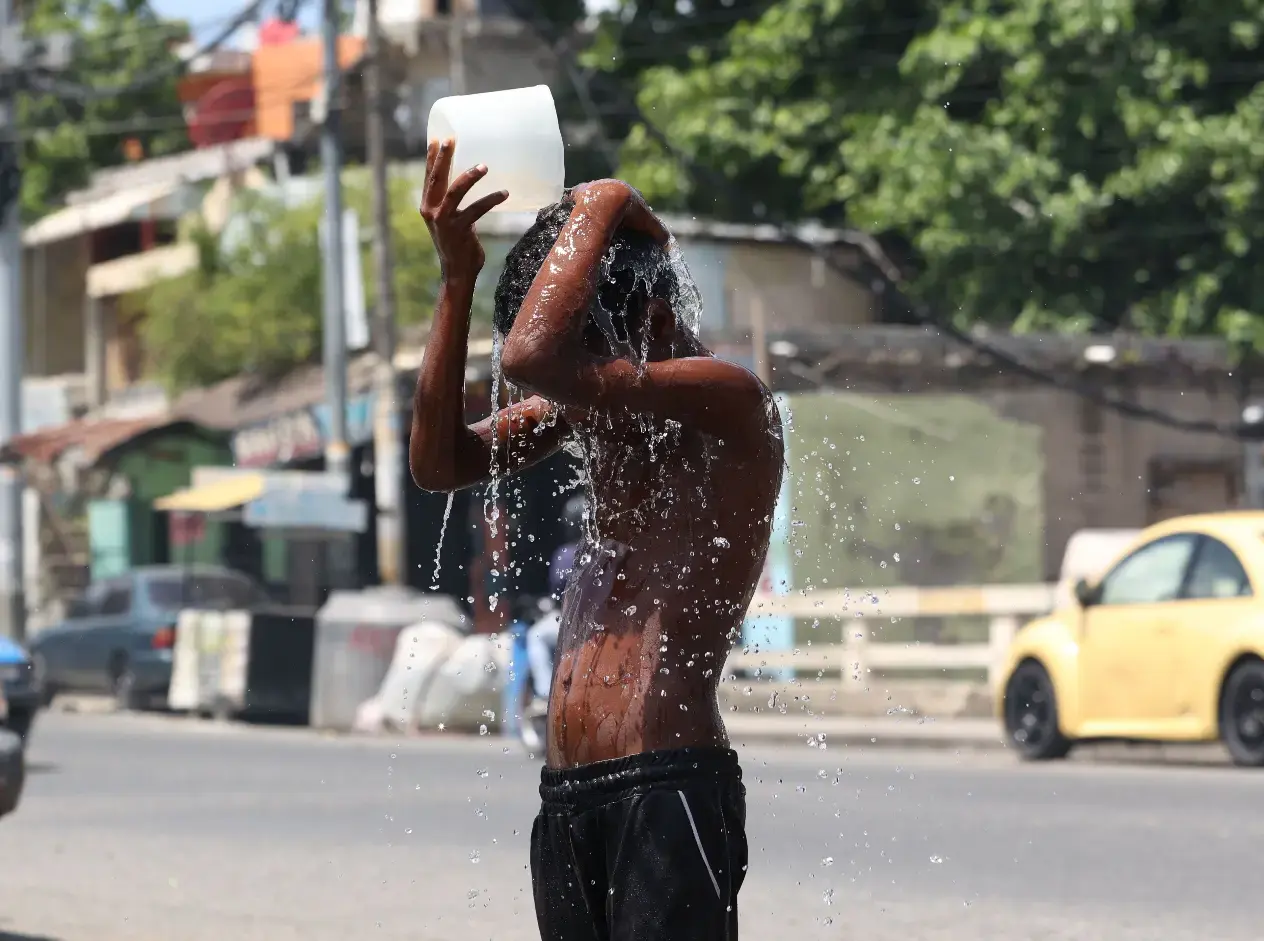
(913, 490)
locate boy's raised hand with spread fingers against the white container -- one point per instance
(461, 255)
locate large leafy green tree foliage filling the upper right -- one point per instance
(1075, 165)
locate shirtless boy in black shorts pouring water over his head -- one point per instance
(641, 834)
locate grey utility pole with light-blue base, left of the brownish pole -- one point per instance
(337, 453)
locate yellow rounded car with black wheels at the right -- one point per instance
(1169, 646)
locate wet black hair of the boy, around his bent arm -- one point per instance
(636, 269)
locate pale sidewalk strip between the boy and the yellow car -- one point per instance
(890, 732)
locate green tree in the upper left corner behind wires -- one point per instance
(66, 138)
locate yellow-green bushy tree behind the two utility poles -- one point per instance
(256, 305)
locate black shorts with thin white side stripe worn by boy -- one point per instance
(648, 848)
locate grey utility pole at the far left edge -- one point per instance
(16, 55)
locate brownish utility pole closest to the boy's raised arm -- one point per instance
(387, 452)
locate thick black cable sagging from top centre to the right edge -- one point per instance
(890, 274)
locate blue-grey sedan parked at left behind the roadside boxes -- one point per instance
(119, 637)
